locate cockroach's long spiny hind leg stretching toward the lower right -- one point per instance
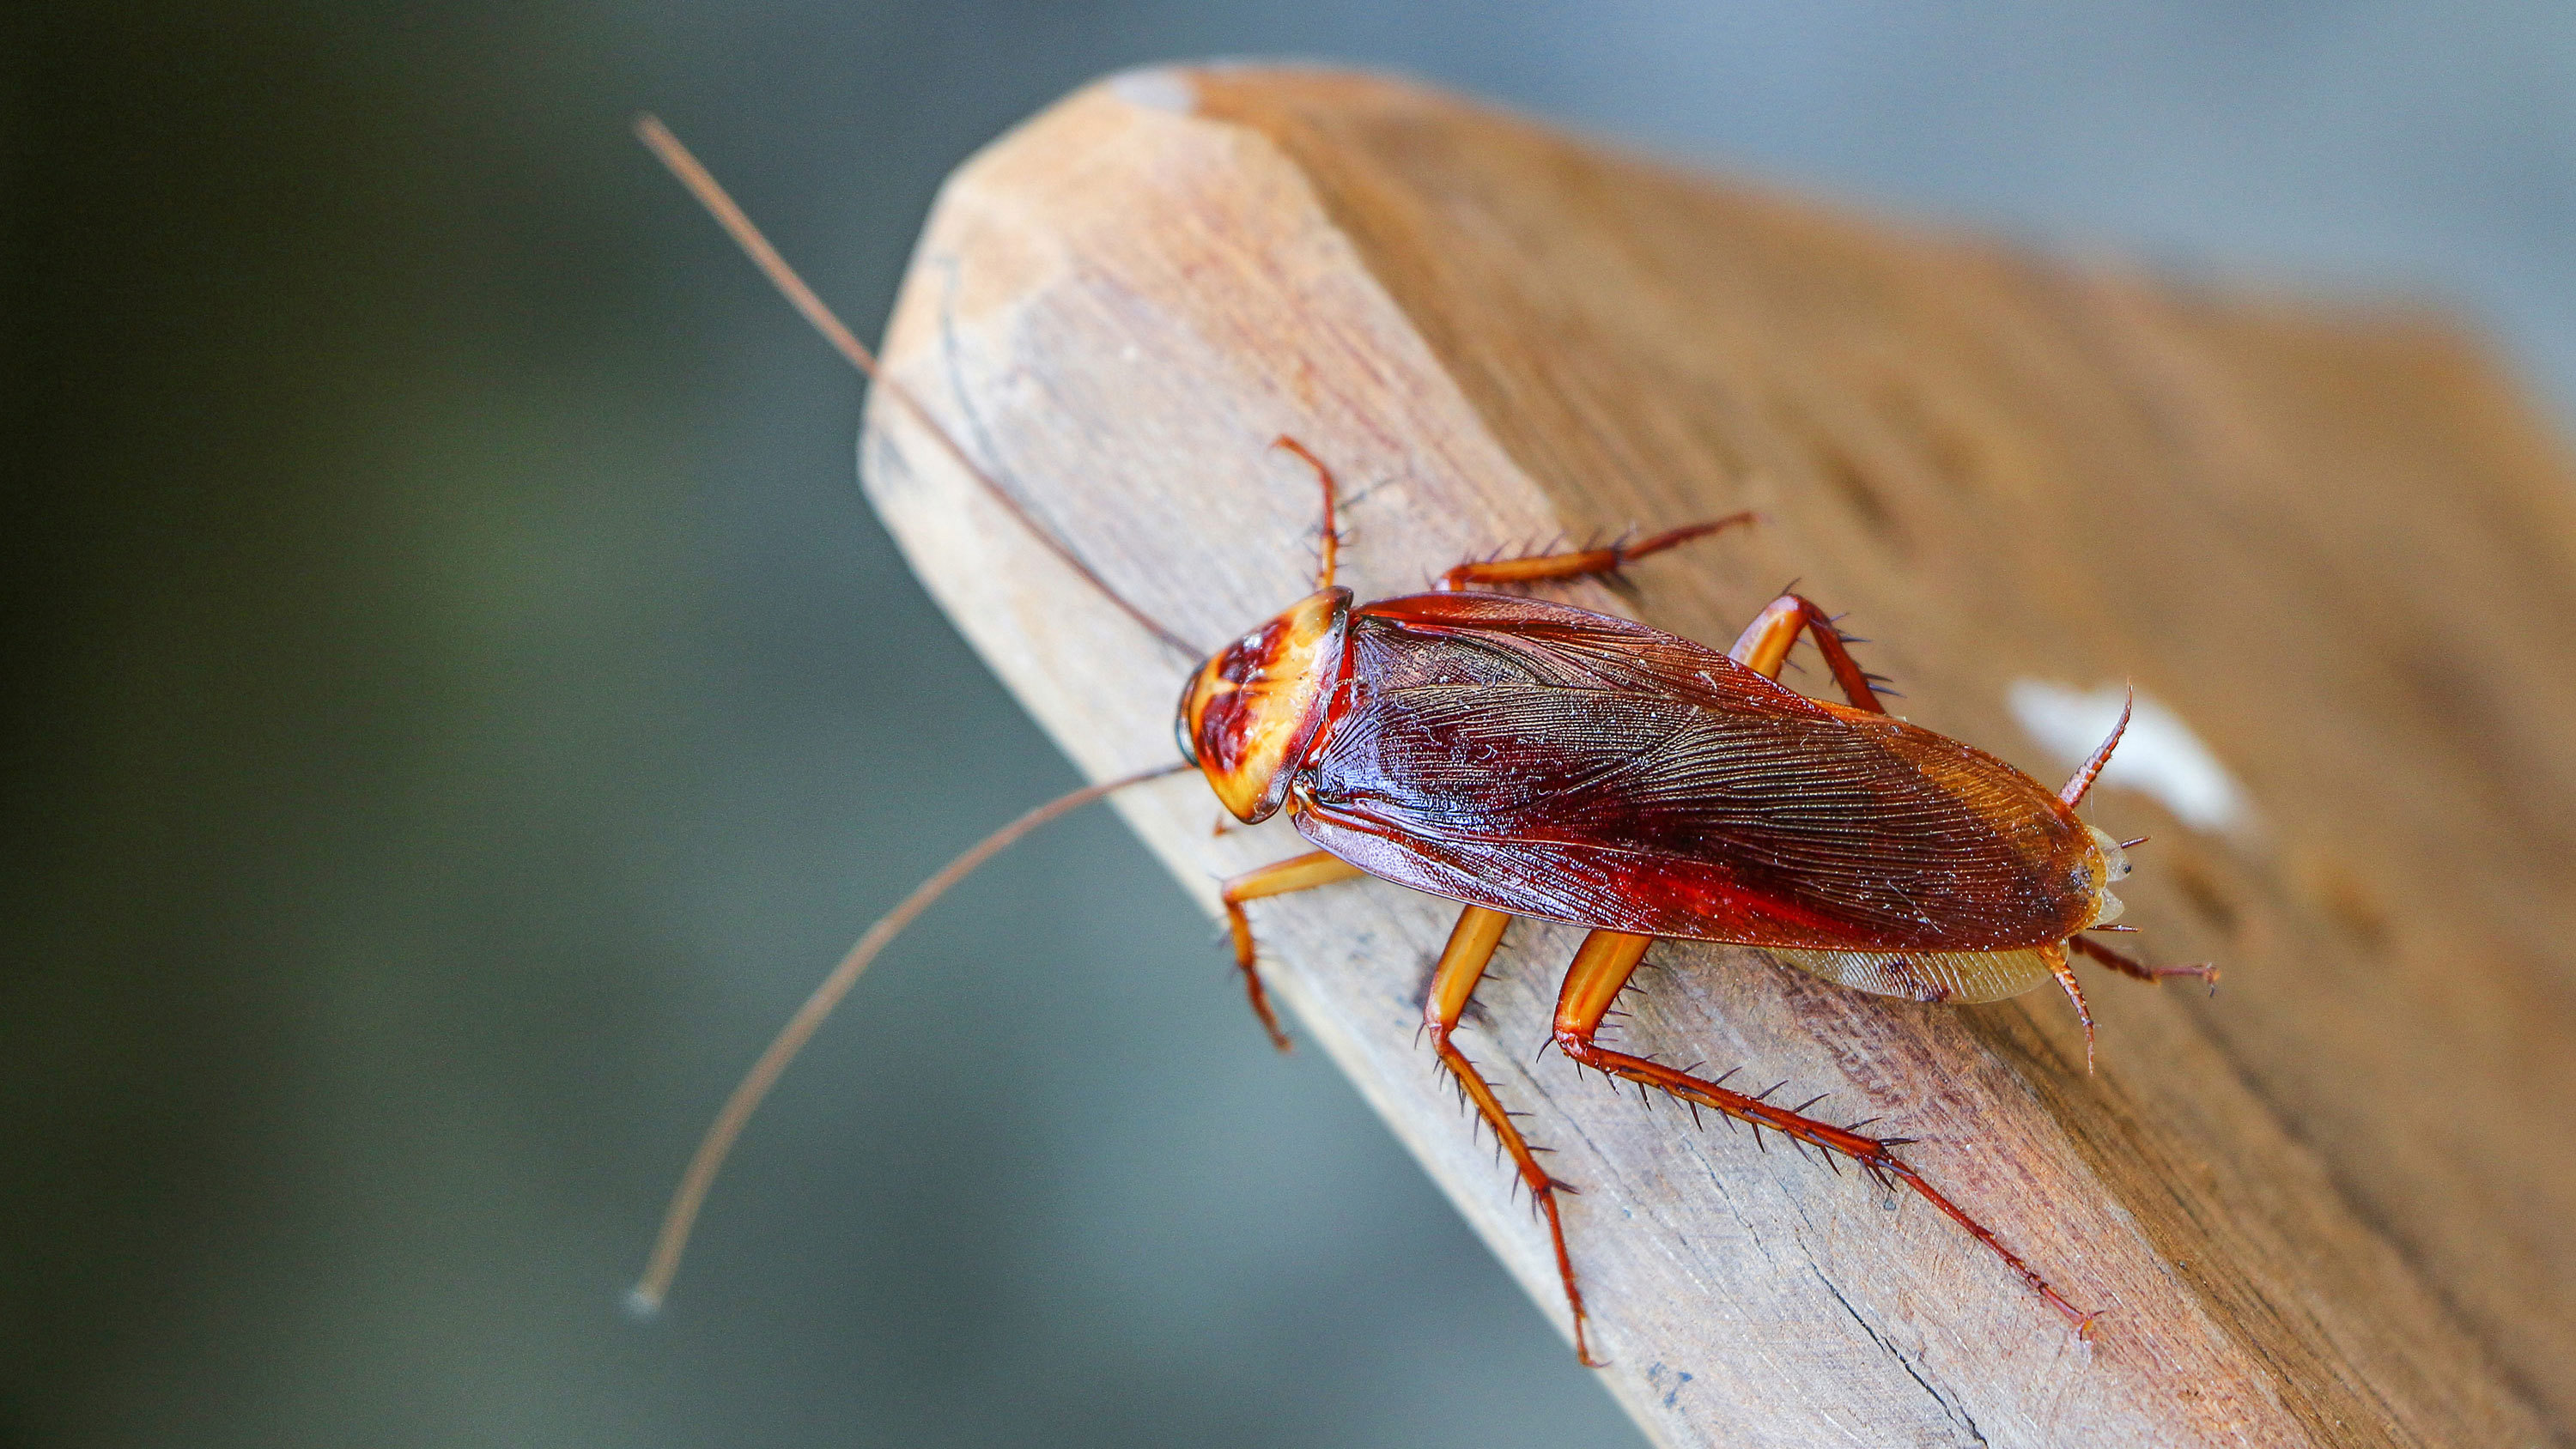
(1596, 979)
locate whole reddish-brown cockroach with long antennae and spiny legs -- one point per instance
(1526, 758)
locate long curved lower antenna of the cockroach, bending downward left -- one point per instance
(720, 1139)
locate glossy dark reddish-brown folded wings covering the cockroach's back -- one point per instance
(1580, 768)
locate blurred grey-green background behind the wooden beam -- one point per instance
(457, 701)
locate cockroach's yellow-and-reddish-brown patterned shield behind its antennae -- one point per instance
(1256, 704)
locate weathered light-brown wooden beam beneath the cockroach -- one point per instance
(2330, 1206)
